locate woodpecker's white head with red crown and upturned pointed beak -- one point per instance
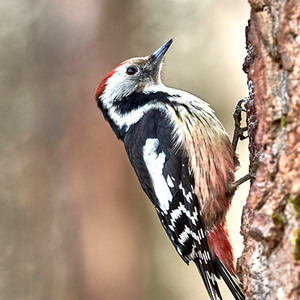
(132, 75)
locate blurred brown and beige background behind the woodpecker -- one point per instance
(74, 223)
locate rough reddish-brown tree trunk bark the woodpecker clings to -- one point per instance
(270, 262)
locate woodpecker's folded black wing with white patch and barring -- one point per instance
(165, 177)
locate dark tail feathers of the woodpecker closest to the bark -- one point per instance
(231, 280)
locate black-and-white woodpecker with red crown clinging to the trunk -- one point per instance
(183, 159)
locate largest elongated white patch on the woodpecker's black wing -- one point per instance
(155, 163)
